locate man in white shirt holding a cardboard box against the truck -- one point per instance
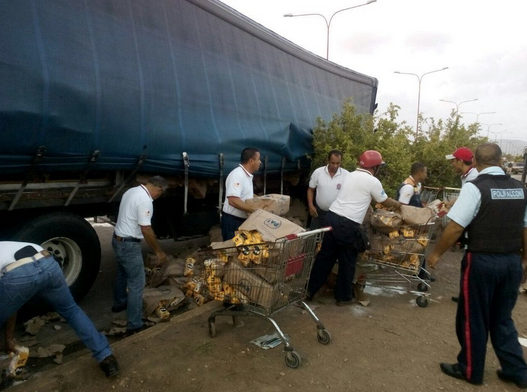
(238, 188)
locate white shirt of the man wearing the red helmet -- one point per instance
(356, 194)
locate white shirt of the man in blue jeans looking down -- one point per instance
(136, 210)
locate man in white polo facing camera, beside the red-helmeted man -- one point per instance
(326, 181)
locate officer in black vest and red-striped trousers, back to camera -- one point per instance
(492, 209)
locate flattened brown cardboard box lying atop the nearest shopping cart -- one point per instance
(271, 226)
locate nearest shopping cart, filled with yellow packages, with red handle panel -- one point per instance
(261, 279)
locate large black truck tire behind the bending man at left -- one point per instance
(74, 244)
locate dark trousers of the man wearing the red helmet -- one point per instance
(339, 244)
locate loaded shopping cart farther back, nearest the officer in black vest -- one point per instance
(396, 257)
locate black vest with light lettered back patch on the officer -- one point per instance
(498, 225)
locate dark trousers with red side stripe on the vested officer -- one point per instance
(488, 292)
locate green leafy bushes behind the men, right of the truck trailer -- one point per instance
(354, 133)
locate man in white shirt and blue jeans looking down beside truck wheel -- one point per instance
(134, 224)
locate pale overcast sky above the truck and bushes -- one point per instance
(483, 43)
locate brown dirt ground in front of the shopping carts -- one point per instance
(391, 345)
